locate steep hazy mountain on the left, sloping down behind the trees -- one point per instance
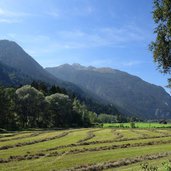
(19, 68)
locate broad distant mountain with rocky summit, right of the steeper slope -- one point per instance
(128, 93)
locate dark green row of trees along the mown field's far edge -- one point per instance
(40, 106)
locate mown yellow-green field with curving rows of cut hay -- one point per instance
(108, 149)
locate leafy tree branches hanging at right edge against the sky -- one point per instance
(161, 47)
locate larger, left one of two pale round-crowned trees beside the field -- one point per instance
(30, 102)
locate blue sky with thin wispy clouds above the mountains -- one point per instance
(100, 33)
